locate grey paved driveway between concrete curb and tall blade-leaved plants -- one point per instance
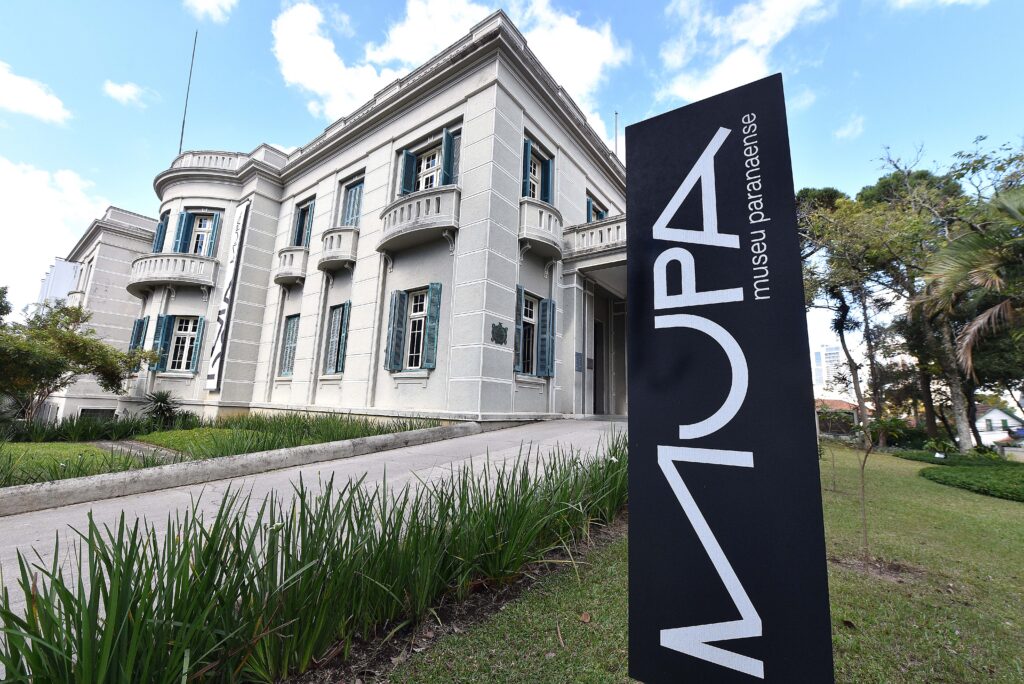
(38, 530)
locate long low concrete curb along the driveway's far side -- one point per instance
(29, 498)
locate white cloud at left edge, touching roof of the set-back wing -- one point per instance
(47, 213)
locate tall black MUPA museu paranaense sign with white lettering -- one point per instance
(728, 557)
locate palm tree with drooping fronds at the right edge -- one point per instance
(983, 270)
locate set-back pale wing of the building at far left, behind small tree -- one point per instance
(103, 261)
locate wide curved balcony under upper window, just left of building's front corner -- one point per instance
(420, 218)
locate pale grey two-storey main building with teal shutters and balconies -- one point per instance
(453, 249)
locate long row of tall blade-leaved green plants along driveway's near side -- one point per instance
(260, 593)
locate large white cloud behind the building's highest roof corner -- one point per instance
(578, 57)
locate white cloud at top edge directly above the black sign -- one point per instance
(714, 53)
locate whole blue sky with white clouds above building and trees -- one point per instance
(92, 94)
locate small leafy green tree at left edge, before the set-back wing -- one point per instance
(53, 350)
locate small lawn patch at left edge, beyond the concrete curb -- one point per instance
(26, 463)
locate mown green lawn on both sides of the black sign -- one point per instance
(957, 617)
